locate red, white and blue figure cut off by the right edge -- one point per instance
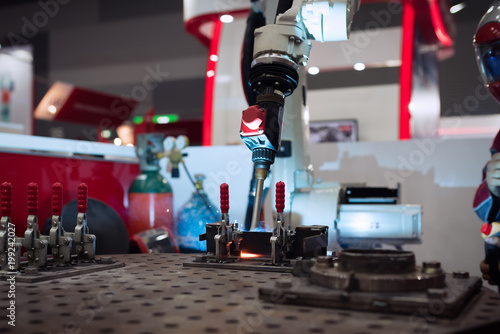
(487, 199)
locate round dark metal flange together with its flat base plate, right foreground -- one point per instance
(381, 281)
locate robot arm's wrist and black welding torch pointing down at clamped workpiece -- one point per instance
(279, 50)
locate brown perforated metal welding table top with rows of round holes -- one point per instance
(154, 293)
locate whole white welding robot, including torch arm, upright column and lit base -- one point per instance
(275, 126)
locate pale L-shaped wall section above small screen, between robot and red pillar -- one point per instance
(375, 108)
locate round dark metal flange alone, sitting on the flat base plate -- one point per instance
(378, 271)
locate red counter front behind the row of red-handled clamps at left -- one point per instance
(107, 181)
